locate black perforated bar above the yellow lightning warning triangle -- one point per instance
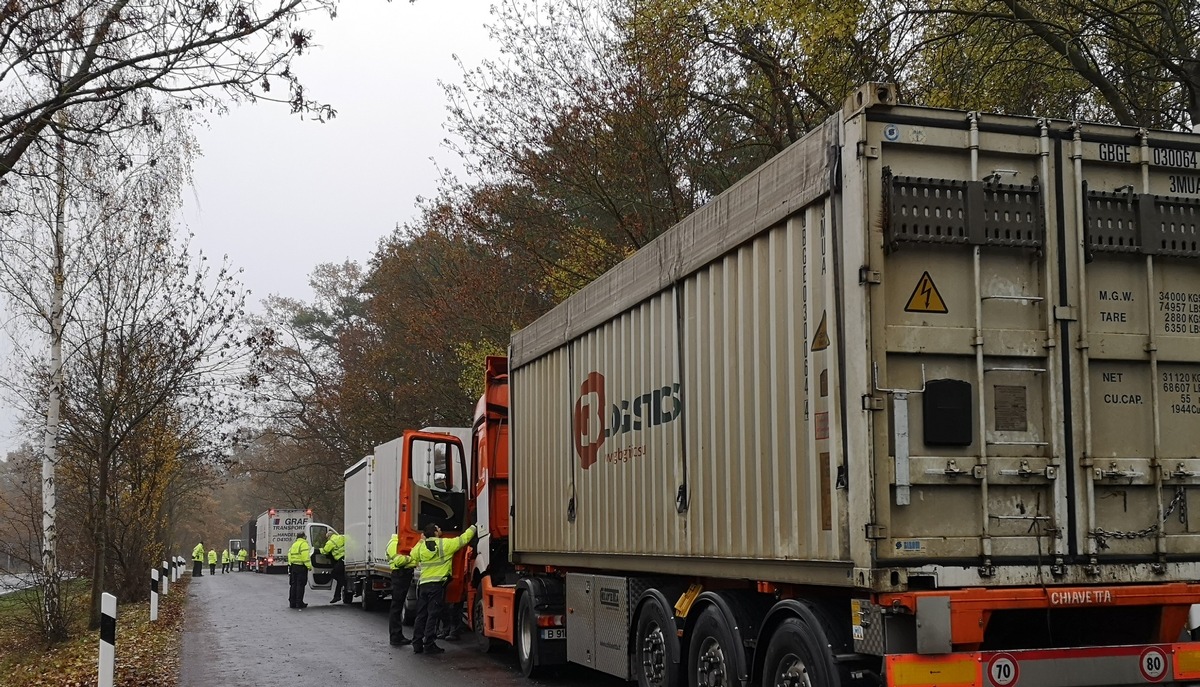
(923, 211)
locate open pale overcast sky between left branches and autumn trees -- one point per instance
(280, 195)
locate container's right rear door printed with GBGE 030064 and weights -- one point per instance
(1139, 348)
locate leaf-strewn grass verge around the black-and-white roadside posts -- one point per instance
(147, 653)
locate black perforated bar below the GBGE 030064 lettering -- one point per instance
(1142, 224)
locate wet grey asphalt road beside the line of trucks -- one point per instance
(239, 631)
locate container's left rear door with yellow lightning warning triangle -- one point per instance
(967, 373)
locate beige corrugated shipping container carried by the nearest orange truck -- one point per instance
(920, 349)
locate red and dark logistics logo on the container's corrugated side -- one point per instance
(596, 421)
